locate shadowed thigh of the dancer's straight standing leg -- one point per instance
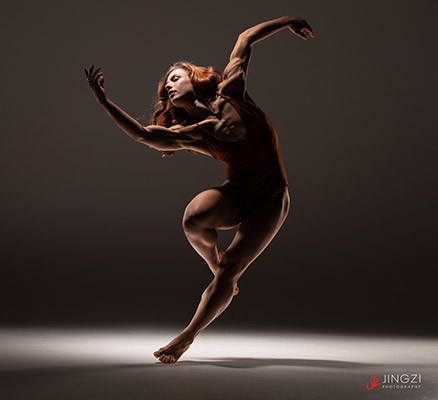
(256, 231)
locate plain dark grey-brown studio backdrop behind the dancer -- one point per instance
(91, 221)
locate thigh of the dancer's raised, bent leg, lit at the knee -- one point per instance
(220, 207)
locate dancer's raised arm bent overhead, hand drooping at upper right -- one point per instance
(235, 71)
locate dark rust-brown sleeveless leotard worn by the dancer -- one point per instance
(254, 164)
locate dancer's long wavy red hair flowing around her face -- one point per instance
(205, 81)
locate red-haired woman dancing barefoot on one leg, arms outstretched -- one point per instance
(204, 111)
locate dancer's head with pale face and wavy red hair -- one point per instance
(185, 82)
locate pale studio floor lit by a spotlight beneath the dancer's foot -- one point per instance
(117, 363)
